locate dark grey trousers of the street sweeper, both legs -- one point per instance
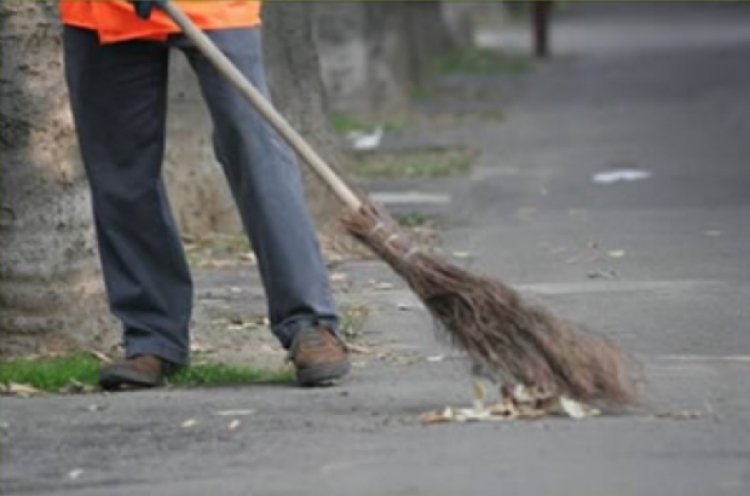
(118, 95)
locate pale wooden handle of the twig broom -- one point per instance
(262, 105)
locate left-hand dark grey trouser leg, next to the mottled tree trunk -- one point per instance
(118, 99)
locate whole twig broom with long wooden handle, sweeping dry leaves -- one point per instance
(507, 339)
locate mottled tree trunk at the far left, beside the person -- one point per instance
(51, 296)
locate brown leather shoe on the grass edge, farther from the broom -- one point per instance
(139, 372)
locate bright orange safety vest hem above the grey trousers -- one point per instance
(117, 21)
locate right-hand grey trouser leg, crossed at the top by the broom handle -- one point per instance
(264, 176)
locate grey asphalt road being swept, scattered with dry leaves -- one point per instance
(662, 264)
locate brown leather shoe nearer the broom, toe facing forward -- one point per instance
(319, 356)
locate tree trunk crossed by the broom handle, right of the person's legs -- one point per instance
(294, 77)
